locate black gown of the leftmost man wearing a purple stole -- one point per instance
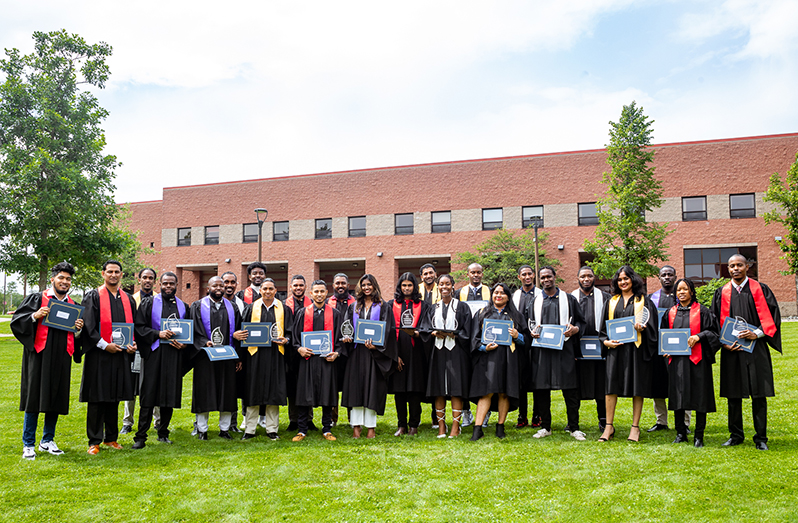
(162, 382)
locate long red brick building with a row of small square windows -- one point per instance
(388, 220)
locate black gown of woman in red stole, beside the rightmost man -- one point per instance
(690, 386)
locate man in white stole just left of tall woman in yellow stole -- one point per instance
(592, 374)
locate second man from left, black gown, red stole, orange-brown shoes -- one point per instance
(107, 377)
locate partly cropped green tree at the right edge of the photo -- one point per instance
(785, 196)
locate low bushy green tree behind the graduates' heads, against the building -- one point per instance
(501, 255)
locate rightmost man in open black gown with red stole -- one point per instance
(744, 374)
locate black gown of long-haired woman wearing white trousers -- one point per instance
(366, 376)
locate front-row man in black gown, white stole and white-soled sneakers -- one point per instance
(556, 369)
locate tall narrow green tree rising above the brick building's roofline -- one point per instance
(623, 237)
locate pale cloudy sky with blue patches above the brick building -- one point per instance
(203, 92)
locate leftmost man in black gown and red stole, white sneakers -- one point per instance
(46, 361)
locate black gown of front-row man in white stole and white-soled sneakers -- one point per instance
(556, 369)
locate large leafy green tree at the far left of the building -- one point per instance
(56, 191)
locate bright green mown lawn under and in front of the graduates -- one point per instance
(406, 479)
